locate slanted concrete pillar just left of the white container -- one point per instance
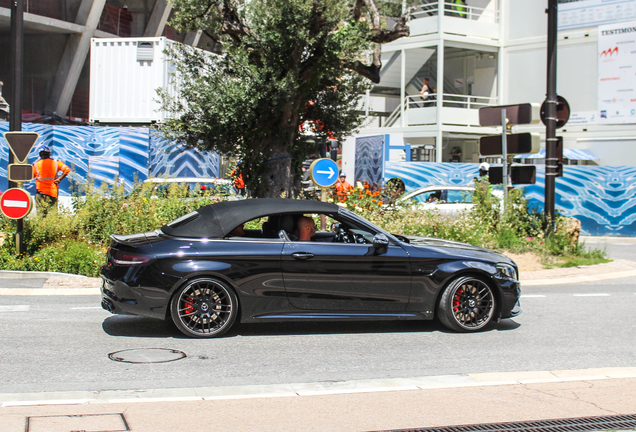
(74, 57)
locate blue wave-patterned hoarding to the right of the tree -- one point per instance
(601, 197)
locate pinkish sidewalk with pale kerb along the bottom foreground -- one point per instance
(342, 406)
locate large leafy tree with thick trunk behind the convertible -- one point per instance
(278, 64)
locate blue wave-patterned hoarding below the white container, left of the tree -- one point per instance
(109, 154)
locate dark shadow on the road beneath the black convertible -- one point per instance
(134, 326)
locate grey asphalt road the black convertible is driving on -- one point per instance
(54, 343)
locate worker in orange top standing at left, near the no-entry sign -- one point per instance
(45, 172)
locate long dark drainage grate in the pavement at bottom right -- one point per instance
(616, 422)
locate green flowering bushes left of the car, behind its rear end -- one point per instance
(77, 242)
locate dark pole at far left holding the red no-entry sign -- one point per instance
(15, 115)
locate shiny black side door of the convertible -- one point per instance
(346, 277)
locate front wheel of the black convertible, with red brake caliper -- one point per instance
(468, 304)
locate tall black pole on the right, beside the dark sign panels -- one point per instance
(551, 166)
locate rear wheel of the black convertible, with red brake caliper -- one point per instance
(204, 308)
